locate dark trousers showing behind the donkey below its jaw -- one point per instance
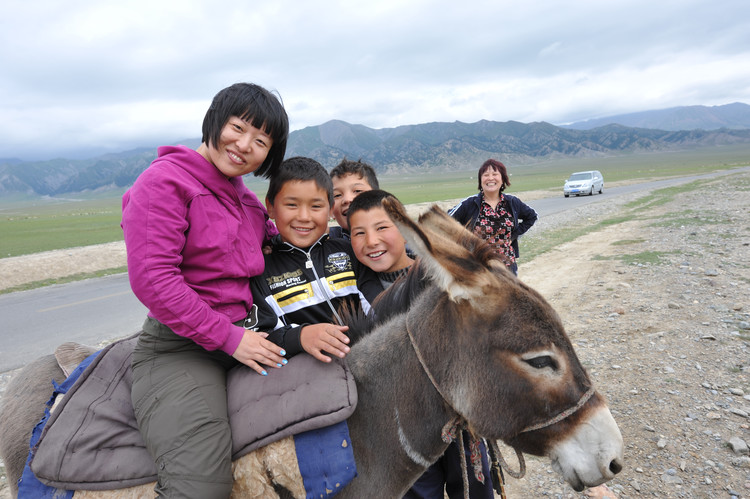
(445, 476)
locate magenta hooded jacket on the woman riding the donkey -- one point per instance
(193, 240)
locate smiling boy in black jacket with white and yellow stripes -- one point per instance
(307, 275)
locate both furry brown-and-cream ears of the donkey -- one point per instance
(443, 245)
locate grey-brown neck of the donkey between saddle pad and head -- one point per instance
(400, 414)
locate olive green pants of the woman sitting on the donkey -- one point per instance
(180, 401)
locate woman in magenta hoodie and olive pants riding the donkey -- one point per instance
(194, 234)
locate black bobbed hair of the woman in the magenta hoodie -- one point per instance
(253, 103)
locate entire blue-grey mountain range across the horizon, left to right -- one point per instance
(424, 147)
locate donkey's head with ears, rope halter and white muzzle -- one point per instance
(498, 354)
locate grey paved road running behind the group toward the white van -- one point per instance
(34, 322)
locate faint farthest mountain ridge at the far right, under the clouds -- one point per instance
(733, 116)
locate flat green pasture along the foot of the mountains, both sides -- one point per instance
(30, 226)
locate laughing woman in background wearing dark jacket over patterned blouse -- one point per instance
(498, 218)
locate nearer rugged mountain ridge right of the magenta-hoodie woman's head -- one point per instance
(453, 146)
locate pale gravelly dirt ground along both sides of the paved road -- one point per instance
(658, 308)
